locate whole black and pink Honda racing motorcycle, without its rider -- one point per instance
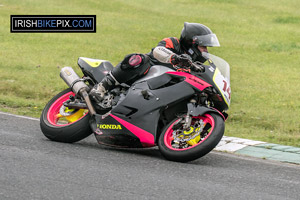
(182, 112)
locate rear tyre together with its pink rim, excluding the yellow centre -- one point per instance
(67, 133)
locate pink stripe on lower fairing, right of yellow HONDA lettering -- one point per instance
(146, 138)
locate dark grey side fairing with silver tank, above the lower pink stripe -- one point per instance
(144, 112)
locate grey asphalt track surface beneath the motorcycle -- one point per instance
(32, 167)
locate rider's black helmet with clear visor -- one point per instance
(194, 35)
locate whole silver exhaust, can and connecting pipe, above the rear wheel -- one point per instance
(77, 85)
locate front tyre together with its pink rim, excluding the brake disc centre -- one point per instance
(204, 146)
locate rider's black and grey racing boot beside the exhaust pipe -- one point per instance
(99, 90)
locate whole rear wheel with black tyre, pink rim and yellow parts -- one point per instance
(61, 124)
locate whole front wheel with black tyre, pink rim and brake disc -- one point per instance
(201, 137)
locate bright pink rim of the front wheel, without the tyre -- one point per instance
(168, 137)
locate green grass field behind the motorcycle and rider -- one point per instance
(260, 40)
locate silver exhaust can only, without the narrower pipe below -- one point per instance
(72, 79)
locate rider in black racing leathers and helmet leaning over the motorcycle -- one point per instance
(170, 52)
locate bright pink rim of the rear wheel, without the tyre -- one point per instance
(54, 110)
